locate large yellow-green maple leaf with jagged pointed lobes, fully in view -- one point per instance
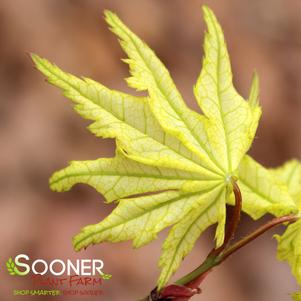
(183, 160)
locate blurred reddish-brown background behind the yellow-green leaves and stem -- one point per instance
(40, 133)
